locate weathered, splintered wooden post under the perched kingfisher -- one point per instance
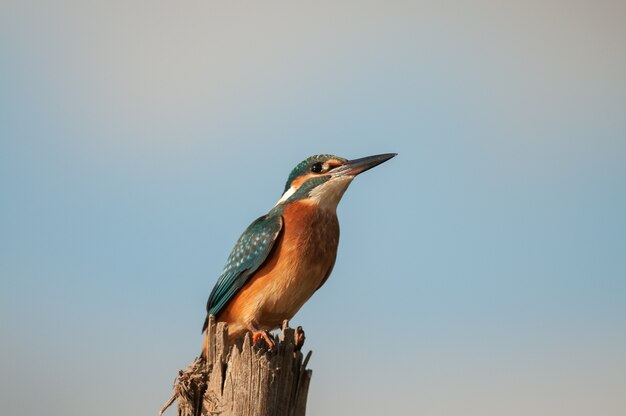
(244, 379)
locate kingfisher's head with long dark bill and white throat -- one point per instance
(322, 179)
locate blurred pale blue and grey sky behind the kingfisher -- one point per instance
(480, 272)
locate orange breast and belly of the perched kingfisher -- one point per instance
(302, 258)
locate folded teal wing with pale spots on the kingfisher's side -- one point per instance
(247, 256)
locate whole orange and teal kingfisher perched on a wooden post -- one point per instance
(286, 255)
